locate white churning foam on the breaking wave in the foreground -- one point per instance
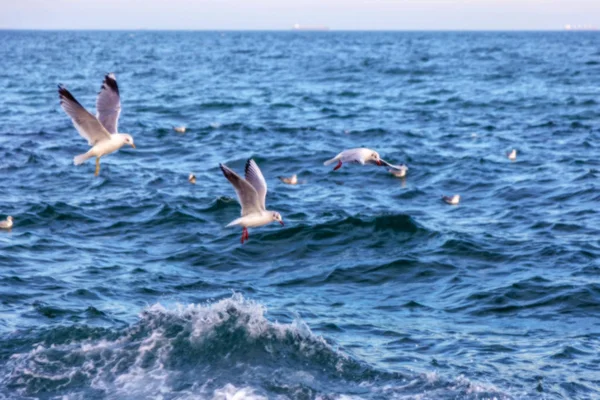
(138, 363)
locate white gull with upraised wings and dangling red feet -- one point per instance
(251, 192)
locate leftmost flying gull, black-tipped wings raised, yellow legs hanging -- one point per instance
(101, 130)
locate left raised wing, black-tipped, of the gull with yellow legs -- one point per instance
(86, 124)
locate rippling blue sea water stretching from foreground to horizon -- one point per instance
(129, 285)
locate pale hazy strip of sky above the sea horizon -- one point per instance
(283, 14)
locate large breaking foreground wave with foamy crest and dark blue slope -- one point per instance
(219, 350)
